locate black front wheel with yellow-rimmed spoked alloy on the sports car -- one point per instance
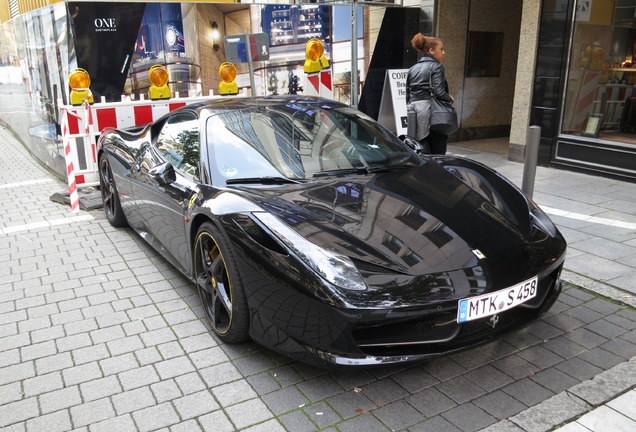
(219, 284)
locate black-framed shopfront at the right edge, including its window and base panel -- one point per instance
(584, 86)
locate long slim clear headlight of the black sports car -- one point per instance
(335, 268)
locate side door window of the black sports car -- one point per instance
(178, 142)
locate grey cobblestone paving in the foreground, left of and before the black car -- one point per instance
(99, 333)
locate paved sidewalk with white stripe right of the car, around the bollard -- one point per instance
(596, 215)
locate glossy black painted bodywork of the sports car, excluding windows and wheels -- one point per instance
(411, 232)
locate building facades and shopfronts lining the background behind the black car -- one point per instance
(564, 65)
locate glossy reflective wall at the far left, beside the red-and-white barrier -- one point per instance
(34, 66)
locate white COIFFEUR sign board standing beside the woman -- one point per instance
(393, 104)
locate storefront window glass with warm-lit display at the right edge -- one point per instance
(602, 72)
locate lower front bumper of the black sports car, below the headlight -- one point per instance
(325, 337)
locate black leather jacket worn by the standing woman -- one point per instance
(417, 80)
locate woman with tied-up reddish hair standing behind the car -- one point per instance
(427, 76)
